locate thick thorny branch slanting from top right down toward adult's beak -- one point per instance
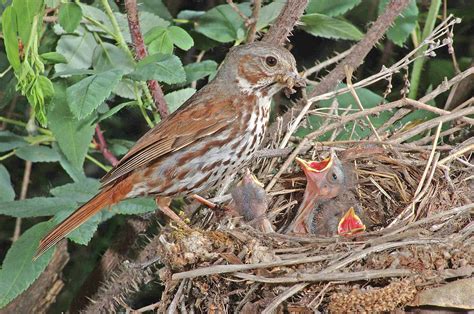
(354, 59)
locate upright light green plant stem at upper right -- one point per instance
(418, 65)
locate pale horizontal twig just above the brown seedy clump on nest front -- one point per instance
(346, 277)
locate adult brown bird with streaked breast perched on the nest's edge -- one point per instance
(211, 136)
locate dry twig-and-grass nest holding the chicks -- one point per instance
(419, 236)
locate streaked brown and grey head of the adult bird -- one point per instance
(261, 68)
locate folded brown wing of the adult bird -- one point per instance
(196, 119)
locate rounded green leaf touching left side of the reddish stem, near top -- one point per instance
(108, 56)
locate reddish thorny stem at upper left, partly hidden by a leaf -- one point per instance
(141, 52)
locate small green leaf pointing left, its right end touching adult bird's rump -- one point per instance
(81, 191)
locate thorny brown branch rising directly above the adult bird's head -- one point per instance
(281, 29)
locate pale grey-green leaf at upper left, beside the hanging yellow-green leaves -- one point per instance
(78, 51)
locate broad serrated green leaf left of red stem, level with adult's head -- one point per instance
(86, 95)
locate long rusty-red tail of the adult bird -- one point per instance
(108, 196)
